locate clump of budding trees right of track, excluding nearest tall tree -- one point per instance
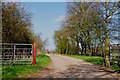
(79, 32)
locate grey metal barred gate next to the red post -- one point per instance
(16, 53)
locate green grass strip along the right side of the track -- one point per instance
(94, 60)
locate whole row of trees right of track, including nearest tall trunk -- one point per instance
(88, 26)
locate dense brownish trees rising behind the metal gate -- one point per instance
(17, 25)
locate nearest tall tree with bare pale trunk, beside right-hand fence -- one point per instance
(108, 10)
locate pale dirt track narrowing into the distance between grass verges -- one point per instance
(67, 67)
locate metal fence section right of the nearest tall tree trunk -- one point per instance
(115, 54)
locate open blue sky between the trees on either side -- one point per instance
(46, 17)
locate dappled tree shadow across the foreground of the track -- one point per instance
(76, 71)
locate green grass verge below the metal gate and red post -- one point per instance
(17, 71)
